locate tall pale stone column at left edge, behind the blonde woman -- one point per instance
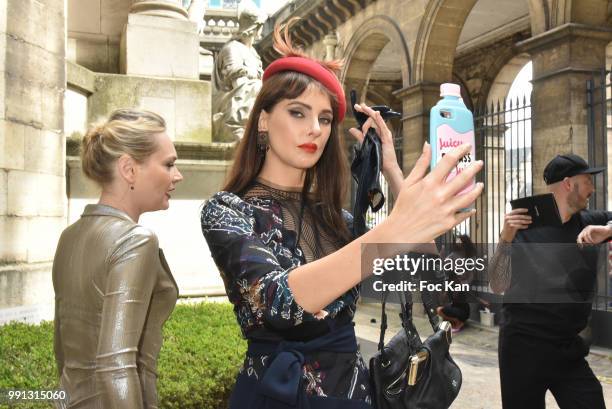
(32, 148)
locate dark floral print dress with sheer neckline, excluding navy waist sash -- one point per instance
(252, 239)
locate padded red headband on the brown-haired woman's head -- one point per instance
(312, 69)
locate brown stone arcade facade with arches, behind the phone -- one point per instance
(429, 43)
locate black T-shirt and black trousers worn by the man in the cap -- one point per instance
(539, 346)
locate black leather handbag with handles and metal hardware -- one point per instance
(410, 374)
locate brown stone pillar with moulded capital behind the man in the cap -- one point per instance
(563, 59)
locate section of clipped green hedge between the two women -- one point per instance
(202, 352)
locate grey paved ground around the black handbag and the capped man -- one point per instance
(475, 350)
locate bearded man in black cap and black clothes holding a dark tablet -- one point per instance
(539, 345)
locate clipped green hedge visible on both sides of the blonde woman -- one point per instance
(197, 366)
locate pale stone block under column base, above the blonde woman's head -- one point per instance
(160, 41)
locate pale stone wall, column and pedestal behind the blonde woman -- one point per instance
(66, 64)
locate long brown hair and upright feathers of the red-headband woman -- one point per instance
(326, 183)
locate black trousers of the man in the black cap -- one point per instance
(529, 367)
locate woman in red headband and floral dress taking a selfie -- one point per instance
(282, 242)
